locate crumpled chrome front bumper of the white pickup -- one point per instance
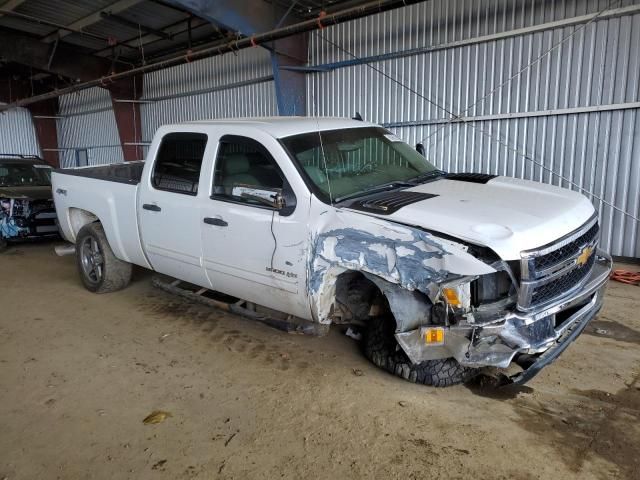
(532, 339)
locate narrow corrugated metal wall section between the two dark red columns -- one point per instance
(87, 123)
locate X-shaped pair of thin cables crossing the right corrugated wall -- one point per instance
(489, 134)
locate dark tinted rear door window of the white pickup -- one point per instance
(179, 162)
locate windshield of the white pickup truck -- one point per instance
(357, 161)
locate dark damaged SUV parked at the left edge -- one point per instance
(26, 200)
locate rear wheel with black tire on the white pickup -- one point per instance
(109, 273)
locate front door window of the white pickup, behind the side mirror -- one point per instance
(246, 172)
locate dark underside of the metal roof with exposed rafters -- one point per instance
(124, 29)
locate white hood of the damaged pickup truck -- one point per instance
(505, 214)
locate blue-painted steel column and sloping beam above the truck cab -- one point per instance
(251, 17)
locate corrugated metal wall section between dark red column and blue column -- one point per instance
(231, 85)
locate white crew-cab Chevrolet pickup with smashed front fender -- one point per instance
(338, 221)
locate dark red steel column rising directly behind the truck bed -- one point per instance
(124, 96)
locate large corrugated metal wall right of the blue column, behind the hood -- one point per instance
(575, 112)
